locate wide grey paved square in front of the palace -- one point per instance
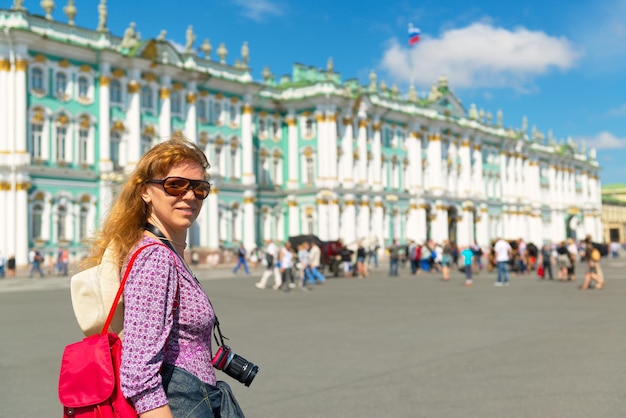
(379, 347)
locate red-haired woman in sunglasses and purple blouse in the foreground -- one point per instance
(168, 319)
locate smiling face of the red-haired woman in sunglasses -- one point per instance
(174, 213)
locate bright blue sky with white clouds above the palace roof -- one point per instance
(560, 63)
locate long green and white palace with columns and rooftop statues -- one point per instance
(306, 153)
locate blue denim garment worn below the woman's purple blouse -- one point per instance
(189, 397)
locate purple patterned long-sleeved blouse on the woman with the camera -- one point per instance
(150, 324)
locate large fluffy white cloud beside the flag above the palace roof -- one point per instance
(480, 56)
